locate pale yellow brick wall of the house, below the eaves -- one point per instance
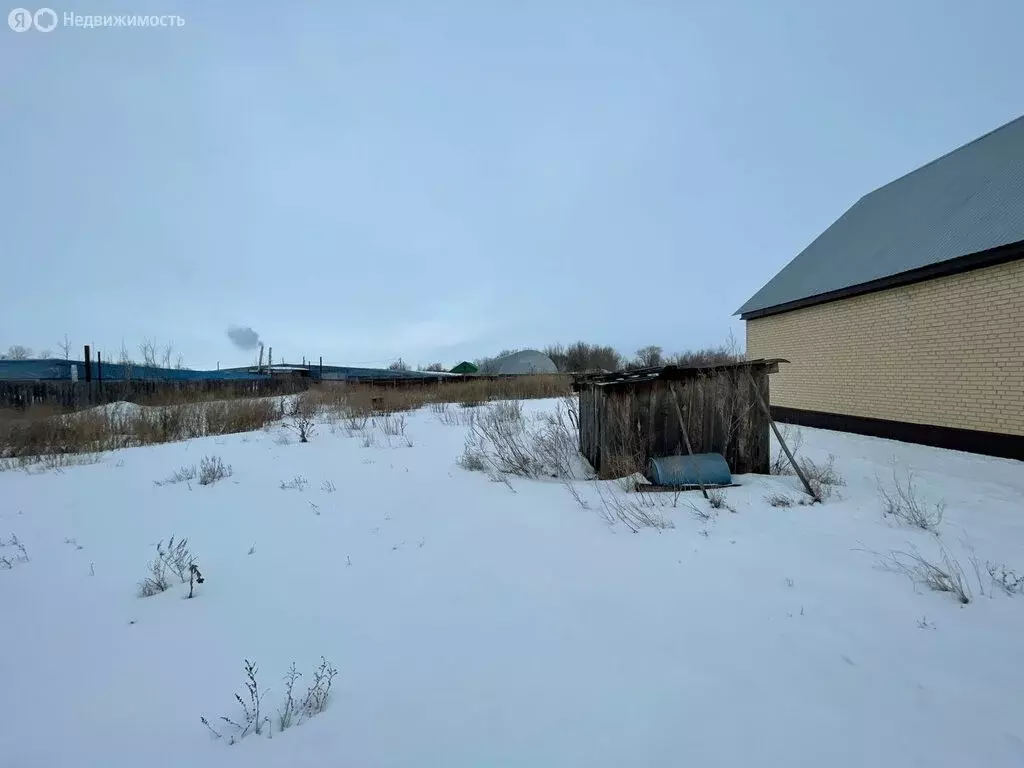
(949, 353)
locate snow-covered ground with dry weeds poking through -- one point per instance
(477, 625)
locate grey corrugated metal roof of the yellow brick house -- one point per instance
(964, 203)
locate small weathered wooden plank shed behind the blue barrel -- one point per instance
(628, 418)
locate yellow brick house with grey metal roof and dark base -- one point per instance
(906, 318)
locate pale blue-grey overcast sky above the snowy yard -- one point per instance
(440, 180)
